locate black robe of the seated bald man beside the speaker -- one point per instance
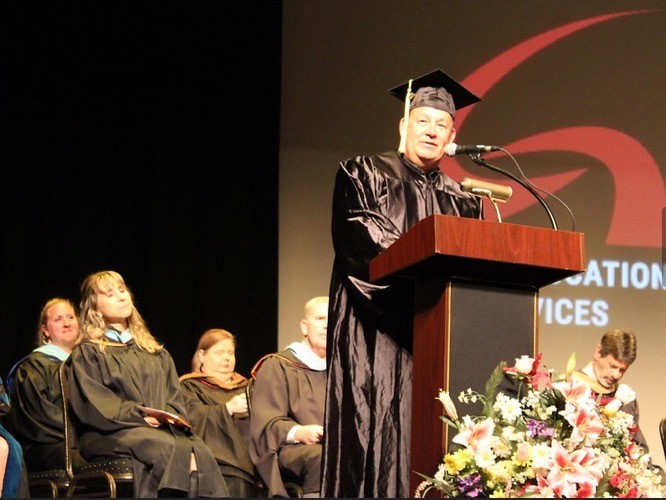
(286, 393)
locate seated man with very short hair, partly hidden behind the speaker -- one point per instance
(287, 416)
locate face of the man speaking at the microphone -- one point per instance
(428, 131)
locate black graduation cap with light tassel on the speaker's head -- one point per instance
(435, 90)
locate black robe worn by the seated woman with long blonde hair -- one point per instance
(105, 388)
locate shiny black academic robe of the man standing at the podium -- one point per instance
(368, 407)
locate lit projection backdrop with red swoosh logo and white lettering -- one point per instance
(573, 90)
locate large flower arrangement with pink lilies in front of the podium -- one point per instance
(551, 438)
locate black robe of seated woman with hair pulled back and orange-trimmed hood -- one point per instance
(227, 436)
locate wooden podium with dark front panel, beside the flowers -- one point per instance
(476, 303)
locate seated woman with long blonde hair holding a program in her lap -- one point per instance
(117, 366)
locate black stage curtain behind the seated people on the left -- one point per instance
(142, 137)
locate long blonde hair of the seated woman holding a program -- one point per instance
(91, 322)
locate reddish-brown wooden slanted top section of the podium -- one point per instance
(482, 251)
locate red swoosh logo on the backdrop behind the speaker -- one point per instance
(635, 220)
